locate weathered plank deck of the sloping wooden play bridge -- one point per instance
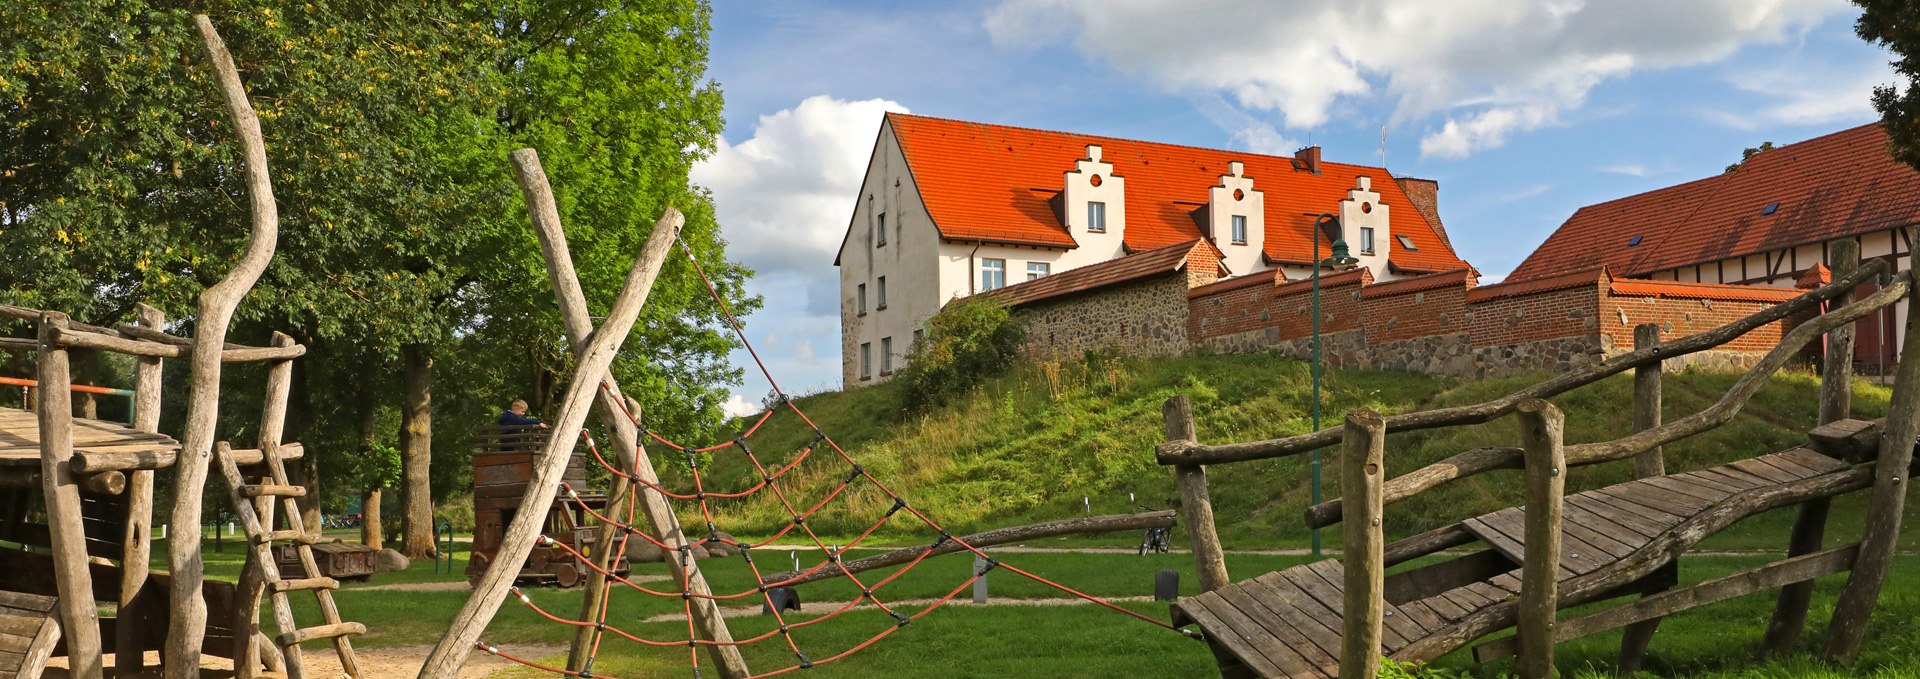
(1287, 624)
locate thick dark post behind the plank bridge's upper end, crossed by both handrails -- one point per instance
(1836, 404)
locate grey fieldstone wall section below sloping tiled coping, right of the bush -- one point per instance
(1143, 319)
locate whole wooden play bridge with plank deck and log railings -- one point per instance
(1337, 619)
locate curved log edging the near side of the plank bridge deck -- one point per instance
(1643, 563)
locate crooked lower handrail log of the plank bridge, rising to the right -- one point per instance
(1604, 452)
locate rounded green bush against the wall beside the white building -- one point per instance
(965, 344)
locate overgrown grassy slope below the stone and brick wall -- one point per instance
(1036, 442)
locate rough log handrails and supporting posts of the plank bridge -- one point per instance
(1545, 457)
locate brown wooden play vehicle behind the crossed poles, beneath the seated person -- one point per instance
(504, 465)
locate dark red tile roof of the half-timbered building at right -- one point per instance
(1821, 189)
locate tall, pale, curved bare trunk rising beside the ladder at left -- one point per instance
(218, 304)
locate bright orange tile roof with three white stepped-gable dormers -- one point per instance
(994, 183)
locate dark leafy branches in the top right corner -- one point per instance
(1896, 26)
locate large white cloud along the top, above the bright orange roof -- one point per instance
(1491, 68)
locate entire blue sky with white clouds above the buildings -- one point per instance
(1522, 110)
